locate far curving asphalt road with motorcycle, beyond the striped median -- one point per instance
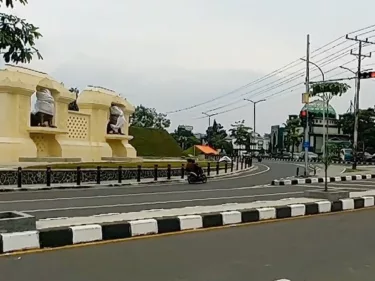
(246, 187)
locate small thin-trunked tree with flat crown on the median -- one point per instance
(326, 91)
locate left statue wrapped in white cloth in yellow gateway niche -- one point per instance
(44, 109)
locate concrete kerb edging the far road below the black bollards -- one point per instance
(124, 184)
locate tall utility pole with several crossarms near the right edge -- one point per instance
(358, 87)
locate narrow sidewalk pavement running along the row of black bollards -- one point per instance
(132, 182)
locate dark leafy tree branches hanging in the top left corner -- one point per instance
(17, 37)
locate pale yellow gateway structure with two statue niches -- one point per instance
(52, 133)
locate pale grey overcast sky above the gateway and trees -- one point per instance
(170, 54)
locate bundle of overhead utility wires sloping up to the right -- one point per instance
(285, 80)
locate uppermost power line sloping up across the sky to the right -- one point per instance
(282, 69)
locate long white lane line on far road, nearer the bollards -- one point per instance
(134, 194)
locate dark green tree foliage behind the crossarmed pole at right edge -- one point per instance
(366, 128)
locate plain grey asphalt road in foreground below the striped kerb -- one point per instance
(321, 248)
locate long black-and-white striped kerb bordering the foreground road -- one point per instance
(60, 237)
